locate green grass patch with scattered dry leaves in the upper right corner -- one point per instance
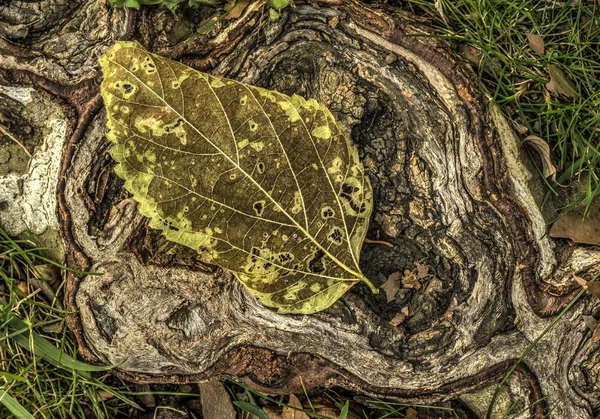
(502, 39)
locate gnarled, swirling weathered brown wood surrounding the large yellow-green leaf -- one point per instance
(453, 195)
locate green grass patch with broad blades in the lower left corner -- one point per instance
(40, 375)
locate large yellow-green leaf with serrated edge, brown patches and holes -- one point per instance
(263, 184)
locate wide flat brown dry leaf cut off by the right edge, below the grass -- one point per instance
(571, 226)
